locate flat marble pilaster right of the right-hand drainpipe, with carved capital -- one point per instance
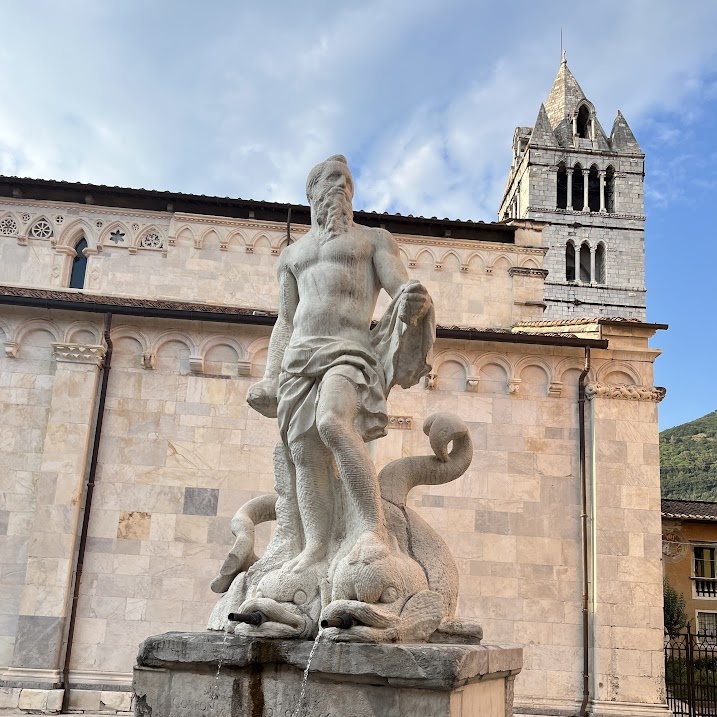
(626, 551)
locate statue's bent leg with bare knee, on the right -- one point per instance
(336, 413)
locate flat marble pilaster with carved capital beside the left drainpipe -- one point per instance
(47, 593)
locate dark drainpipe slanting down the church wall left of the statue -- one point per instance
(99, 415)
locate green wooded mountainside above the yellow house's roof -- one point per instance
(688, 460)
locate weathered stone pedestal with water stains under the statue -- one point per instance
(176, 676)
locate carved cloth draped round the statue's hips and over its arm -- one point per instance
(395, 355)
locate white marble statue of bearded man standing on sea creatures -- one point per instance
(347, 552)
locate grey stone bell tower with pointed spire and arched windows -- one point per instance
(589, 190)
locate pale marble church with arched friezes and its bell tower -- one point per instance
(133, 322)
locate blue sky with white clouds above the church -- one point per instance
(240, 99)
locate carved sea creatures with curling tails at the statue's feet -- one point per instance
(408, 593)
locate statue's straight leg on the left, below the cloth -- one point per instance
(314, 464)
